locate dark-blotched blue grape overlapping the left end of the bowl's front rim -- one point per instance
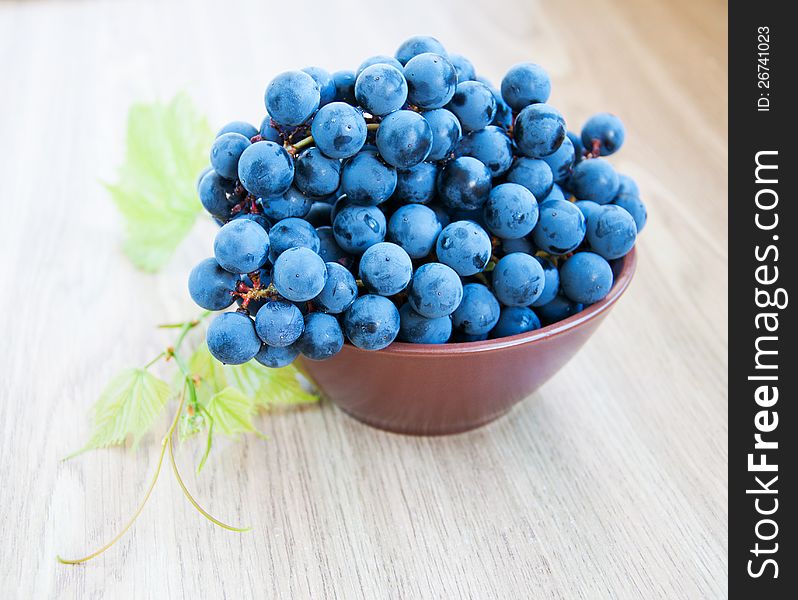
(372, 322)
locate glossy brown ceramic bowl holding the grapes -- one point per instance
(429, 389)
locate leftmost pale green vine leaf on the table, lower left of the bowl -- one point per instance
(128, 406)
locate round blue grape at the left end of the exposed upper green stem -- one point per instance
(266, 169)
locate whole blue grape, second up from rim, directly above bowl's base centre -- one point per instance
(435, 290)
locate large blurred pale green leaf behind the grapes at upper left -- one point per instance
(155, 191)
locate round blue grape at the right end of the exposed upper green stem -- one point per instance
(404, 139)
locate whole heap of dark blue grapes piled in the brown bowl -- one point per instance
(407, 200)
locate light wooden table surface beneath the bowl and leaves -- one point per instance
(610, 482)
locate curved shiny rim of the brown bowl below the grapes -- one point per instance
(625, 272)
